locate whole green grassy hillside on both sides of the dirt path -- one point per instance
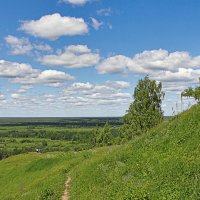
(161, 164)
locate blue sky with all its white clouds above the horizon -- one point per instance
(84, 57)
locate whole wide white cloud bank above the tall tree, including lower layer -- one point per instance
(158, 64)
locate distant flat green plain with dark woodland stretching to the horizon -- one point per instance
(22, 135)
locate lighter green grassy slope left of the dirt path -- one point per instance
(39, 176)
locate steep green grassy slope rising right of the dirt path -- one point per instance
(162, 164)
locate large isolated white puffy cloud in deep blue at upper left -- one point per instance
(54, 26)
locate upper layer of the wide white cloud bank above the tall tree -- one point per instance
(149, 62)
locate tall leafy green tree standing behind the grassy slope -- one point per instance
(145, 111)
